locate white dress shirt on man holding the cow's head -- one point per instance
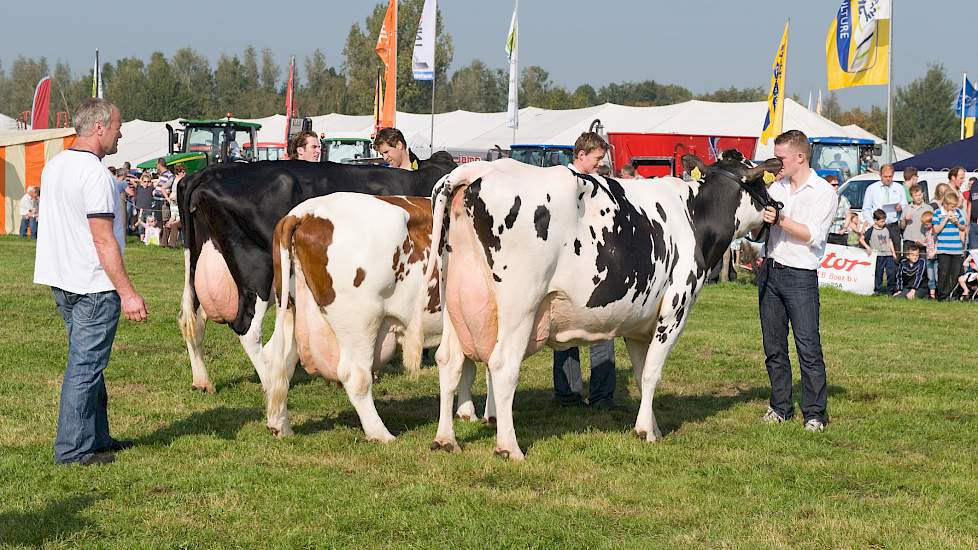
(812, 204)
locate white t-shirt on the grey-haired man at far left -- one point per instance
(77, 186)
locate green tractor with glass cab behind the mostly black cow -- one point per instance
(203, 142)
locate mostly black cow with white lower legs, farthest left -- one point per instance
(229, 214)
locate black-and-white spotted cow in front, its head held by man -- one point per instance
(537, 257)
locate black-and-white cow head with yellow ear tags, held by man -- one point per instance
(728, 204)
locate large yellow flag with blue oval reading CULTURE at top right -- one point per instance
(857, 48)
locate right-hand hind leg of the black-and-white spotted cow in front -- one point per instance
(504, 366)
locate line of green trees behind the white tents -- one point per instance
(253, 84)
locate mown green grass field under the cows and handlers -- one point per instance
(897, 466)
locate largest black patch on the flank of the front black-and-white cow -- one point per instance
(631, 247)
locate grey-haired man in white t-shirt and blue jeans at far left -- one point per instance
(80, 257)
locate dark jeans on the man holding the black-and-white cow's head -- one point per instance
(788, 295)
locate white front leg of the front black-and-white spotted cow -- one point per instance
(667, 332)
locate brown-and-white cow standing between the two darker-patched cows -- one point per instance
(355, 268)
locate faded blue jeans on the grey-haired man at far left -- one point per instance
(83, 421)
